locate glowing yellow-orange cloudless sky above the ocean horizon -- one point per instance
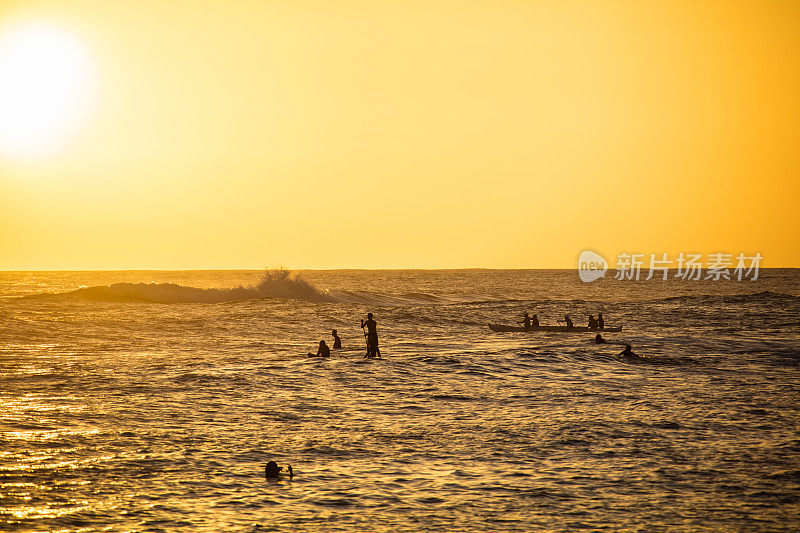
(412, 134)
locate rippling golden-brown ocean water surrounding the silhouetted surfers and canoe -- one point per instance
(150, 401)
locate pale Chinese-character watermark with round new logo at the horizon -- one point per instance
(686, 266)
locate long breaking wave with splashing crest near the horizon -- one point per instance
(275, 284)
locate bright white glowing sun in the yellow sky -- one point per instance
(45, 80)
